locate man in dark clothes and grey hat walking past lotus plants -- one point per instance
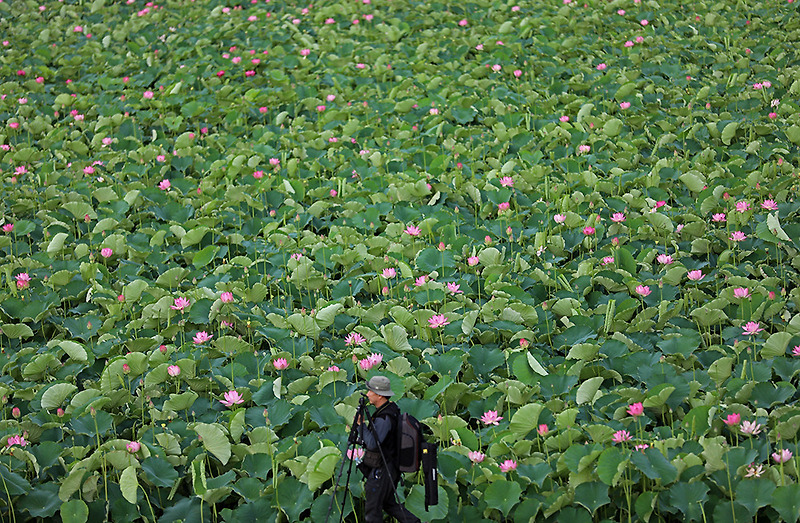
(381, 477)
